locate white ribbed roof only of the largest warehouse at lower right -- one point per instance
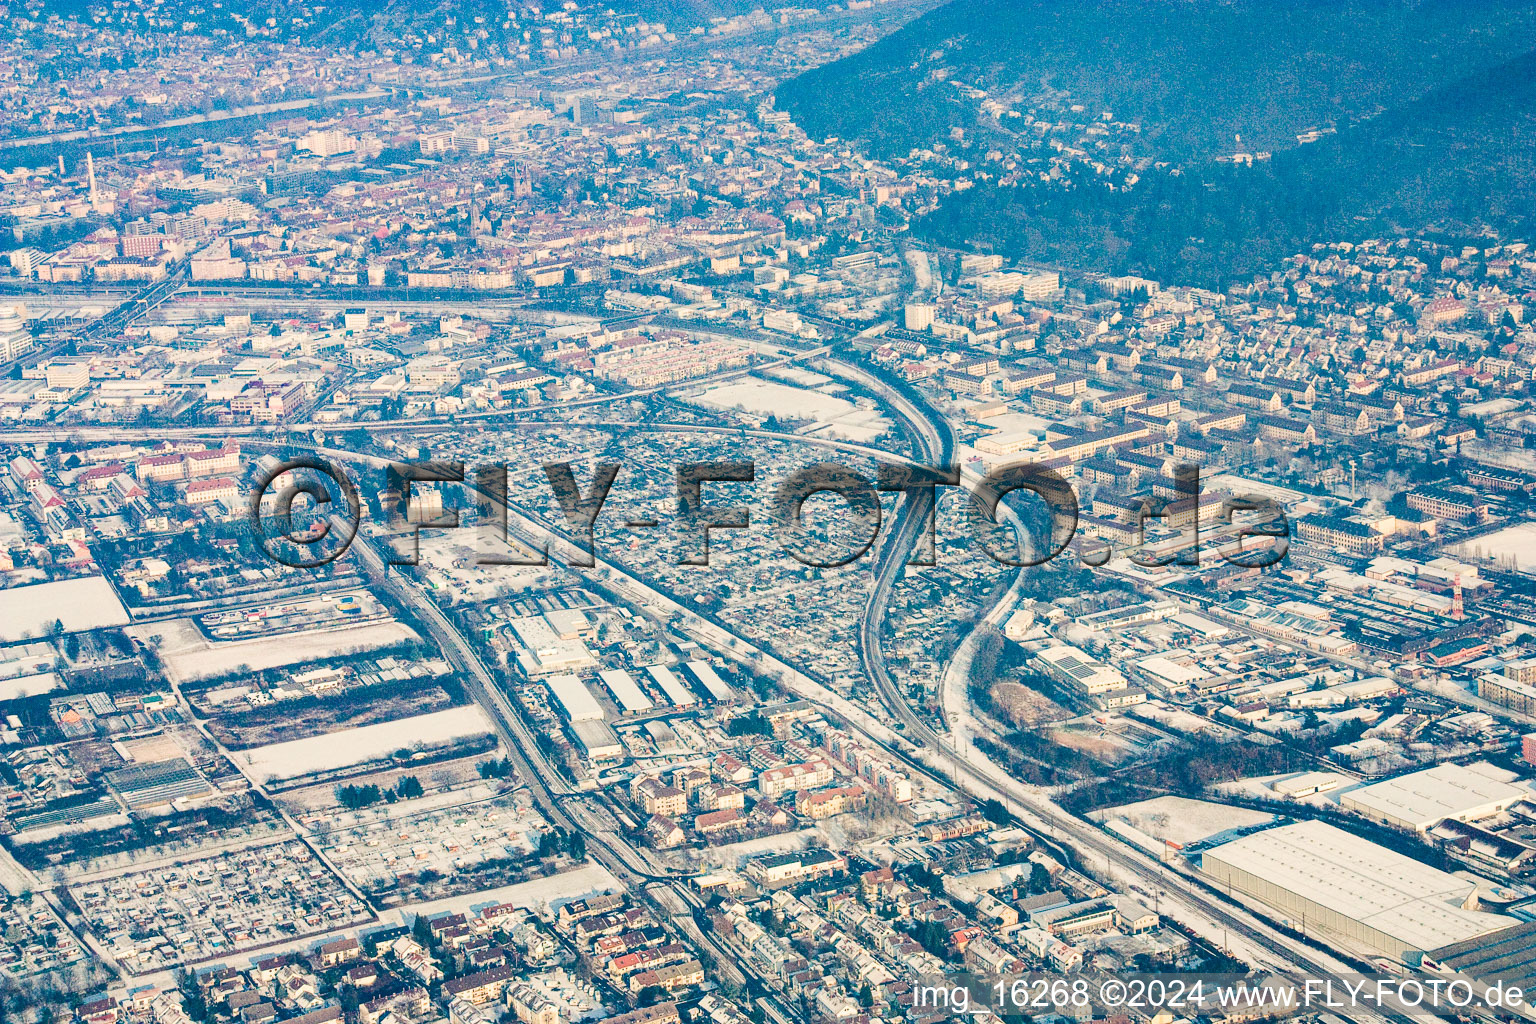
(1386, 891)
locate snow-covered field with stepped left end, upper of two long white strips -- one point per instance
(190, 656)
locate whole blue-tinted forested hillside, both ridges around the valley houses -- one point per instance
(1435, 107)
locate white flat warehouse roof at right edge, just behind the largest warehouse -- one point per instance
(1448, 791)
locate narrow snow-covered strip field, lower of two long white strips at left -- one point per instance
(365, 744)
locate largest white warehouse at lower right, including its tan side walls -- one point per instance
(1322, 879)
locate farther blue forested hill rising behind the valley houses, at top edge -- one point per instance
(1196, 73)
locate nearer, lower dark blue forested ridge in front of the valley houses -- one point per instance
(1458, 159)
